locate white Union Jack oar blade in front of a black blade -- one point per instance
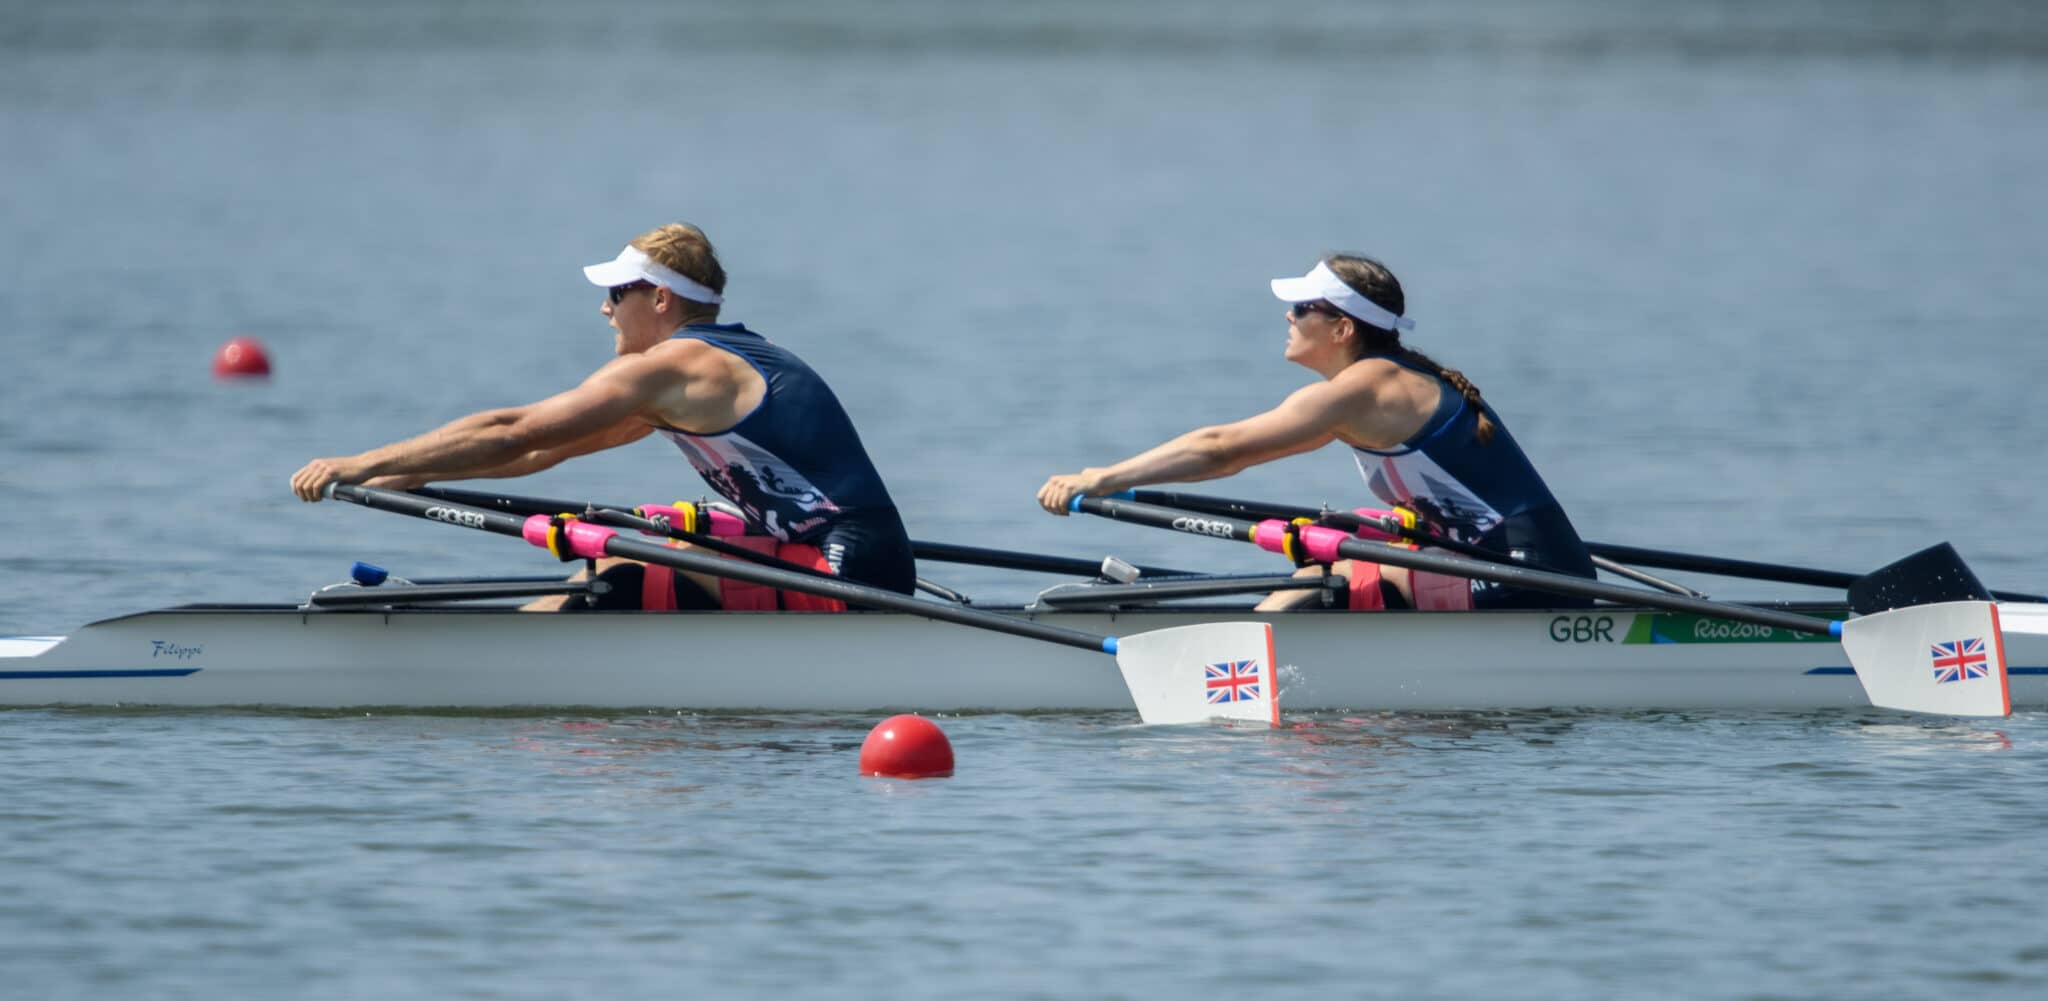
(1932, 658)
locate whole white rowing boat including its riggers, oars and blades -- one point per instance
(368, 644)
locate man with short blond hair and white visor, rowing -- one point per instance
(755, 421)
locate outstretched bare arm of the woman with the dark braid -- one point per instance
(1306, 421)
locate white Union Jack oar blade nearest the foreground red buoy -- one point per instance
(1195, 674)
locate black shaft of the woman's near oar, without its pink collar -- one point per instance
(1537, 580)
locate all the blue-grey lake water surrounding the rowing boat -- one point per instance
(1752, 279)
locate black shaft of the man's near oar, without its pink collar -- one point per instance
(617, 546)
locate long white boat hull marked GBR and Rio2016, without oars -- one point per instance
(871, 662)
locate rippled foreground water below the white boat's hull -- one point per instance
(1070, 857)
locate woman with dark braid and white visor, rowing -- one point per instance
(1422, 435)
